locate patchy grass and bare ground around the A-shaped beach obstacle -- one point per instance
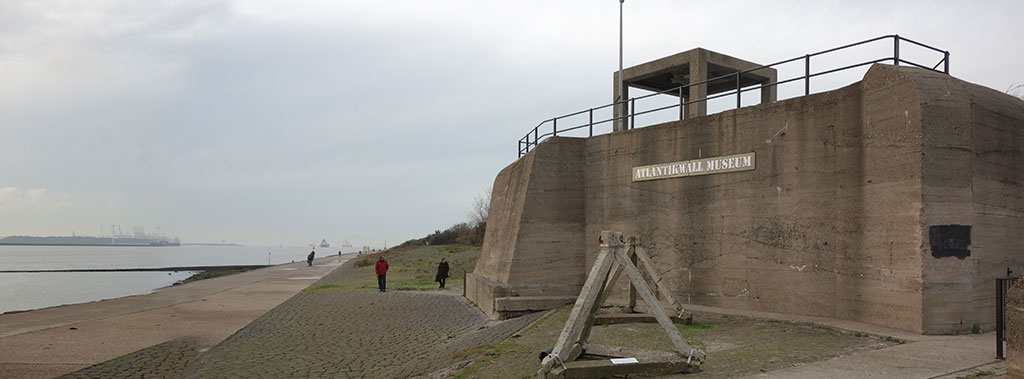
(737, 347)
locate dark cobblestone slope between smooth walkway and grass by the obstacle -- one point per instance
(331, 334)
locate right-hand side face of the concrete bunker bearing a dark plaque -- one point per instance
(974, 204)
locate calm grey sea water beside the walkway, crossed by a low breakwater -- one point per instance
(26, 291)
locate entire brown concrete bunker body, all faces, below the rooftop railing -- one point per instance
(836, 220)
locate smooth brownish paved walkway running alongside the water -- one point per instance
(55, 342)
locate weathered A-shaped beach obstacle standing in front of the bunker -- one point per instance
(615, 259)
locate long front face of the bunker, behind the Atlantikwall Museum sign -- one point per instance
(827, 225)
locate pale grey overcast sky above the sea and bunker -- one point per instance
(286, 122)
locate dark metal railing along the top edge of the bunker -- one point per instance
(536, 136)
